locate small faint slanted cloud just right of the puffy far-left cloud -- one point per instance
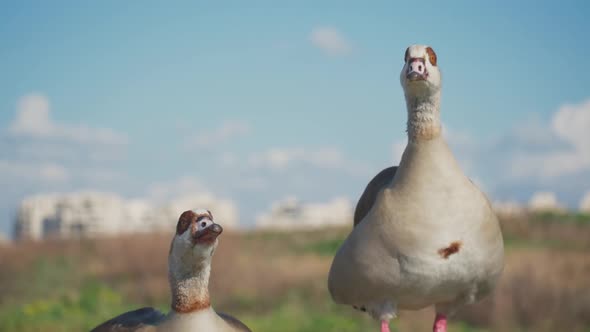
(210, 138)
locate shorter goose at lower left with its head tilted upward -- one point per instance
(189, 266)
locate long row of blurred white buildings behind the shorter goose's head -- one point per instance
(87, 214)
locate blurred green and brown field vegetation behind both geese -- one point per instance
(277, 281)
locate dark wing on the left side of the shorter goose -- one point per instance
(144, 319)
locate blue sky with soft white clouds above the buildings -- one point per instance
(256, 101)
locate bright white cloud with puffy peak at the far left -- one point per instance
(33, 119)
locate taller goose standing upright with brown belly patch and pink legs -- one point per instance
(423, 233)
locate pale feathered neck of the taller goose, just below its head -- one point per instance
(423, 117)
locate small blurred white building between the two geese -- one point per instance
(292, 214)
